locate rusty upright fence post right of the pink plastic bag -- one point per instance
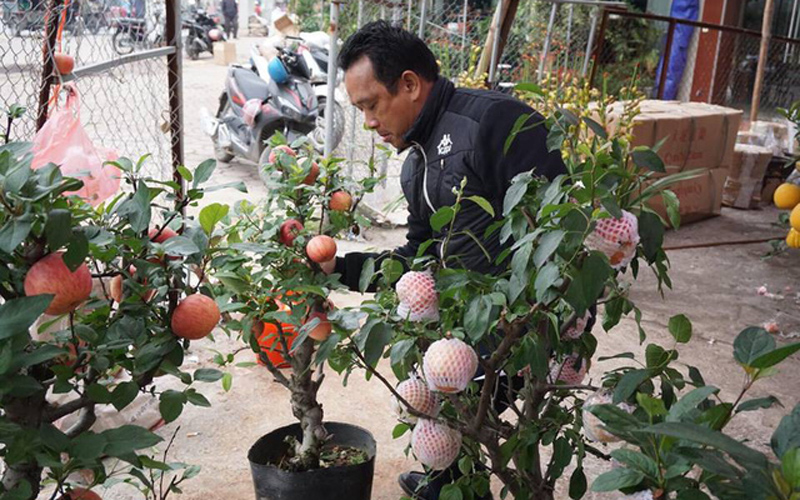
(174, 62)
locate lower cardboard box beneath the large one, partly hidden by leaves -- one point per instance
(700, 197)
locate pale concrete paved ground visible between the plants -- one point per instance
(715, 287)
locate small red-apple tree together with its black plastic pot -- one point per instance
(268, 266)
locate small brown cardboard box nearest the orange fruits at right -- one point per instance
(746, 176)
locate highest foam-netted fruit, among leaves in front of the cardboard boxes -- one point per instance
(616, 238)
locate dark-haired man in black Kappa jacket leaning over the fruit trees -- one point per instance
(393, 78)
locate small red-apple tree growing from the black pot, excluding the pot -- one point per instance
(273, 264)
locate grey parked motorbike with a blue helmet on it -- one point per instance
(252, 108)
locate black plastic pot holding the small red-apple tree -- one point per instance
(350, 482)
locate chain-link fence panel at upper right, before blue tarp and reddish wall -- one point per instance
(720, 61)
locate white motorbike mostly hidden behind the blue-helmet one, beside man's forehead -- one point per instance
(316, 59)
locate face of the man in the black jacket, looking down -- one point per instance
(390, 115)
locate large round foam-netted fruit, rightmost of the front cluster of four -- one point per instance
(449, 365)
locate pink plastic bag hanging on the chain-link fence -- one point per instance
(63, 141)
